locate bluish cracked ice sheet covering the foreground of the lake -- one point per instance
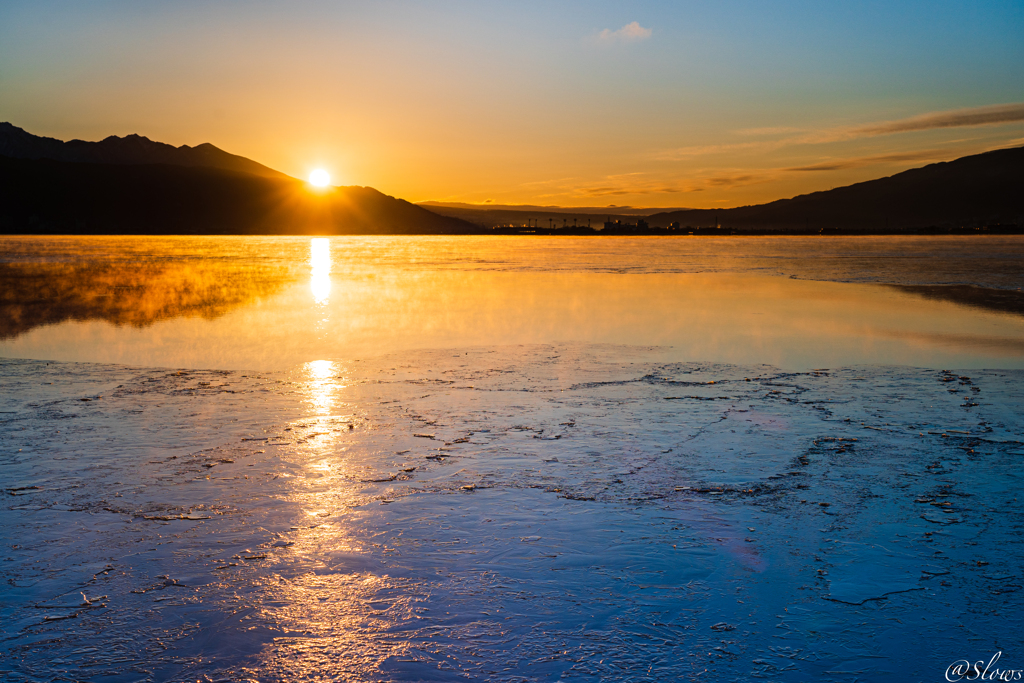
(507, 515)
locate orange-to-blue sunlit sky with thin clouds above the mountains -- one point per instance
(684, 104)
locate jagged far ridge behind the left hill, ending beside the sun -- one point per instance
(131, 150)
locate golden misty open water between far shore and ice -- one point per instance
(264, 304)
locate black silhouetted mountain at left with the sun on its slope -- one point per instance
(195, 191)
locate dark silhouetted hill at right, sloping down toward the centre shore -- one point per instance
(980, 190)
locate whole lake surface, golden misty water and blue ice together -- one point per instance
(480, 507)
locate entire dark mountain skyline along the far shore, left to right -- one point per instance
(133, 185)
